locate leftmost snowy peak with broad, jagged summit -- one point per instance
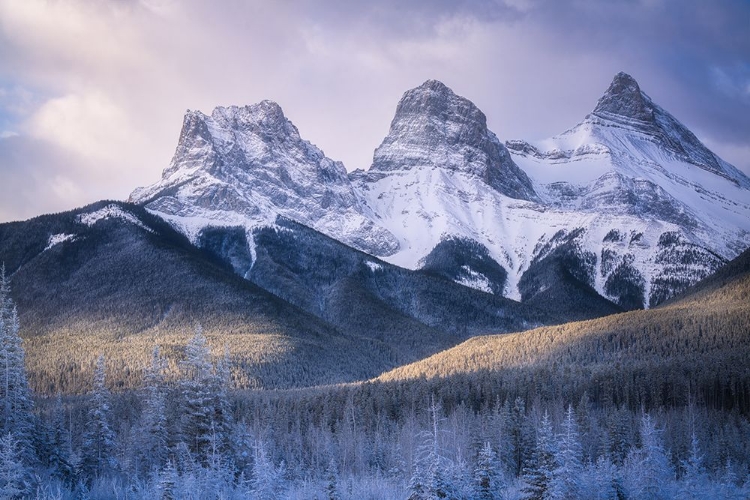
(245, 166)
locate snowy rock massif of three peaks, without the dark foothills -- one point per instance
(624, 210)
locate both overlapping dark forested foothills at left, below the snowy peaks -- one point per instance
(114, 279)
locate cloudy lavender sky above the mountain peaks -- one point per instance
(92, 92)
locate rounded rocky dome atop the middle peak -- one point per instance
(435, 128)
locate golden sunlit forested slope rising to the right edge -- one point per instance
(694, 349)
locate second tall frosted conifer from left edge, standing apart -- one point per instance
(99, 439)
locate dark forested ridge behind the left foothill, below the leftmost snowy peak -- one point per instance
(352, 290)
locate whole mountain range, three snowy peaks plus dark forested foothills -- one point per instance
(313, 276)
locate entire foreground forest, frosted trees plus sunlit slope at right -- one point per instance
(643, 405)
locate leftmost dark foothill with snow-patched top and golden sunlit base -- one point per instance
(113, 279)
